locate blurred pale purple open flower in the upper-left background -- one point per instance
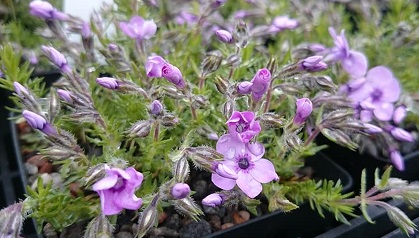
(139, 29)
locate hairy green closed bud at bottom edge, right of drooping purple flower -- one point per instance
(148, 218)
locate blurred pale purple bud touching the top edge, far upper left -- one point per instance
(45, 10)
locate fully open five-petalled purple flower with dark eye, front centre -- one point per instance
(246, 160)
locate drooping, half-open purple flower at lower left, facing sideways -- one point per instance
(117, 190)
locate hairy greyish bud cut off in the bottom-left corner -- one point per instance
(11, 220)
